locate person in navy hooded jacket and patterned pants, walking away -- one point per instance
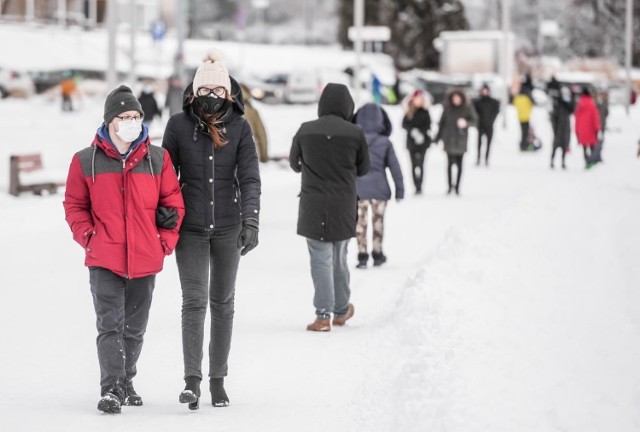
(373, 188)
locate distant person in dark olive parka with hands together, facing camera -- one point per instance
(457, 117)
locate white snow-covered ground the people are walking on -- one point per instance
(512, 308)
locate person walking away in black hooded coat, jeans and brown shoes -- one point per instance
(330, 152)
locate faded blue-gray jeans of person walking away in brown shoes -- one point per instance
(330, 276)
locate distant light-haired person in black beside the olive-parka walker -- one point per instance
(417, 123)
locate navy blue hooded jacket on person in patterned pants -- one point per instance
(377, 128)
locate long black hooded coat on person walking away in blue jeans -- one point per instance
(331, 153)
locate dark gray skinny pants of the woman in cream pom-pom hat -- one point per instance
(208, 264)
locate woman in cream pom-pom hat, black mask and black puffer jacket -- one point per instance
(212, 149)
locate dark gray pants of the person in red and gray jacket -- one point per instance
(122, 312)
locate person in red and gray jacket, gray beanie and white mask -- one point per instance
(124, 207)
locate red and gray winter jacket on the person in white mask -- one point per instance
(110, 206)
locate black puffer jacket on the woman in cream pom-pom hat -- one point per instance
(222, 187)
